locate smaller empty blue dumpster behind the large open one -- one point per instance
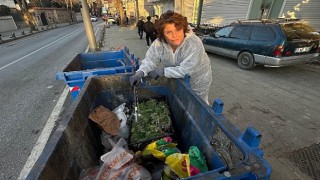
(95, 64)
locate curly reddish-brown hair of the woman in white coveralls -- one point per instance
(171, 17)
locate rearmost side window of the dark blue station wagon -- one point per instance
(262, 33)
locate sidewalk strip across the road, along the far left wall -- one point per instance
(26, 31)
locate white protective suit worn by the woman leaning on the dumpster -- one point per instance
(189, 58)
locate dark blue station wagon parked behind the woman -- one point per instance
(279, 42)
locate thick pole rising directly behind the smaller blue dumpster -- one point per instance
(88, 26)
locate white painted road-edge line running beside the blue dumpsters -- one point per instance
(46, 132)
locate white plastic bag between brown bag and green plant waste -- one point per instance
(124, 128)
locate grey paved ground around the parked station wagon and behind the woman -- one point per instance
(282, 103)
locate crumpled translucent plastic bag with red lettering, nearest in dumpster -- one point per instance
(119, 164)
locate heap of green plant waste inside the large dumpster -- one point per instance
(154, 121)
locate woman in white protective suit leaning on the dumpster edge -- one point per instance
(180, 53)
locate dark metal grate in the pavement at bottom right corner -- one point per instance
(308, 160)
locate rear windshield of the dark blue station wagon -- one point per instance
(298, 31)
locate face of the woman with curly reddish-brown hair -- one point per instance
(173, 35)
